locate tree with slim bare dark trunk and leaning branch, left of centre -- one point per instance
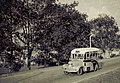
(30, 12)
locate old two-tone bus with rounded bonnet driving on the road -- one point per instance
(83, 60)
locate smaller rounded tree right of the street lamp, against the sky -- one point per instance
(104, 28)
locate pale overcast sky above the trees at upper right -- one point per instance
(95, 7)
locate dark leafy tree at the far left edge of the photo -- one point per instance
(9, 20)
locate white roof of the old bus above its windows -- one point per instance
(84, 50)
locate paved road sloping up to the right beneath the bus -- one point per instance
(56, 75)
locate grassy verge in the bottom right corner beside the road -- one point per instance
(111, 77)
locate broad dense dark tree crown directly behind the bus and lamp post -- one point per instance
(61, 27)
